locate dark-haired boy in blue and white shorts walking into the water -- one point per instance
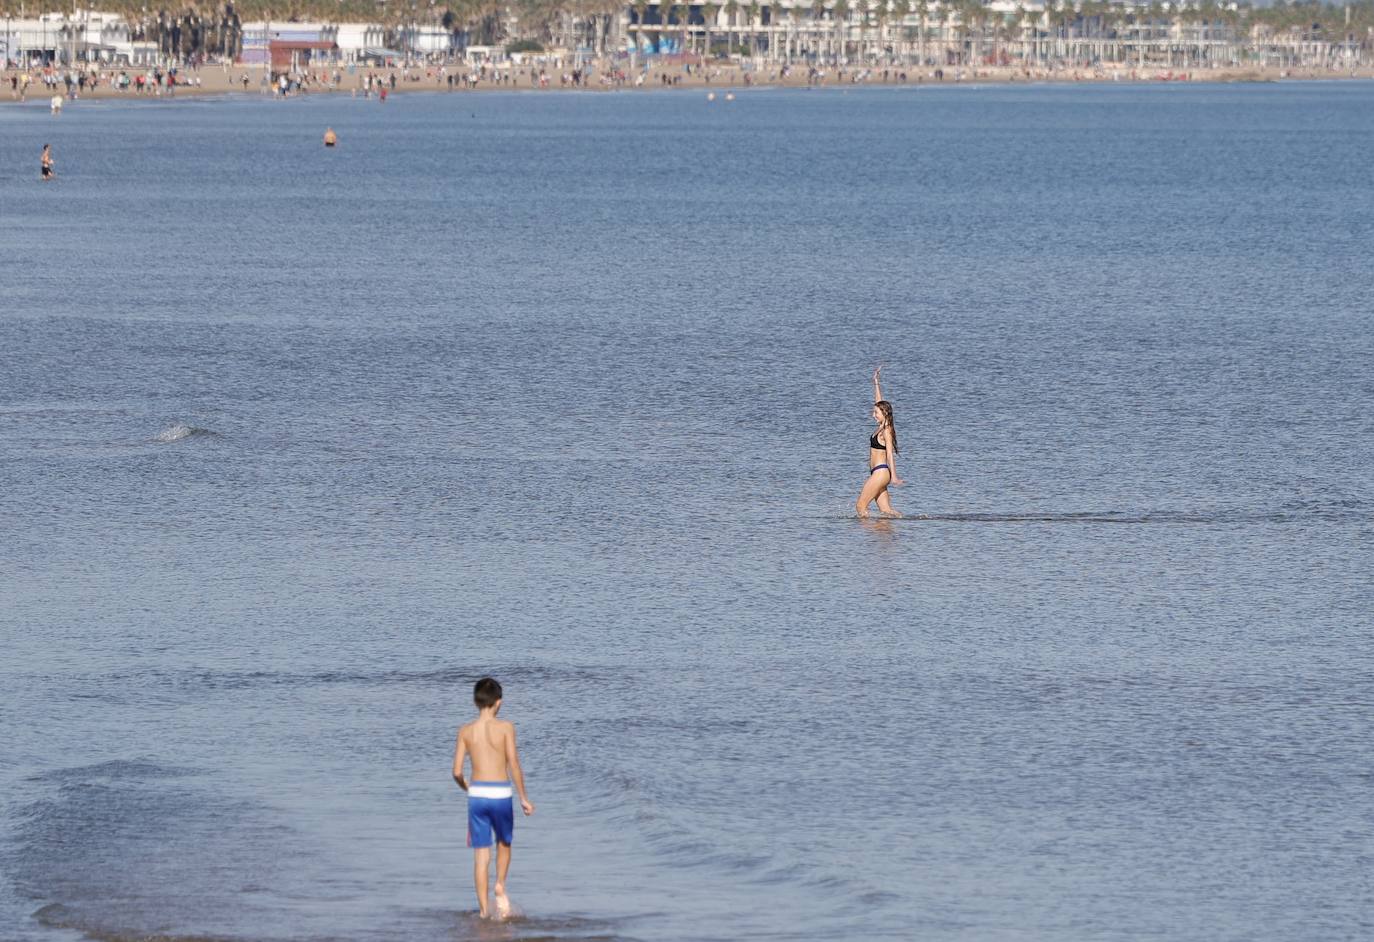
(490, 744)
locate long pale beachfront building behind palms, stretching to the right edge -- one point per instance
(1033, 34)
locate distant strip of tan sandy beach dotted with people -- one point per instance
(461, 79)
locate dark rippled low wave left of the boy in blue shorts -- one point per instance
(156, 847)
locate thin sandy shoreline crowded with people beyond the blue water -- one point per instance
(216, 82)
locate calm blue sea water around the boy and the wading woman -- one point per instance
(574, 391)
